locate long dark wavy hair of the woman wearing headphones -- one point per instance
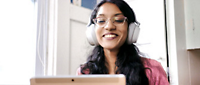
(128, 60)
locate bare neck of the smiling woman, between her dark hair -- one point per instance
(111, 57)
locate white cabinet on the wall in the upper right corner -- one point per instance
(192, 23)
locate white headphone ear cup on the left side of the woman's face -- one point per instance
(91, 36)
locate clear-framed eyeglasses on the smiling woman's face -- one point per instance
(102, 21)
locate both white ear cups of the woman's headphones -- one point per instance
(133, 32)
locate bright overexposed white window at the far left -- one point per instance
(18, 41)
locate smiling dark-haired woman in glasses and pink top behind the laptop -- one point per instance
(114, 52)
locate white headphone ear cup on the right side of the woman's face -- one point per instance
(133, 32)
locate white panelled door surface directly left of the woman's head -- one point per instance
(79, 47)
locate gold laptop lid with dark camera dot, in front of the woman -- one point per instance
(104, 79)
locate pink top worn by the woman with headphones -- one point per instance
(156, 75)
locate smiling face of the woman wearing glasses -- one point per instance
(111, 36)
